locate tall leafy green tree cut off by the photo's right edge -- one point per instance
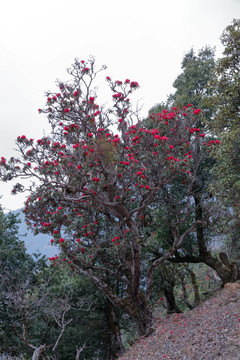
(226, 125)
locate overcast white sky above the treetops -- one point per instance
(141, 40)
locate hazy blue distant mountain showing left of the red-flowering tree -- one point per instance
(39, 244)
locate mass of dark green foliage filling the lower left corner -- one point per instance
(34, 297)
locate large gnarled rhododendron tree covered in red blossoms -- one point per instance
(96, 177)
